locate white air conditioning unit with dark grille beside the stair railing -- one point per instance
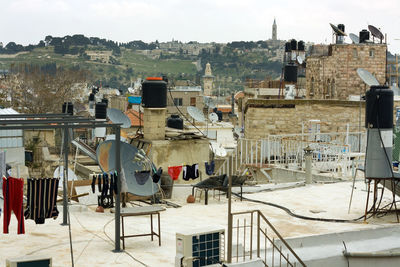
(202, 247)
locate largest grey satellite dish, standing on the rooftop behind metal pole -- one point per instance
(130, 165)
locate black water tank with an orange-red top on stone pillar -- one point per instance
(154, 93)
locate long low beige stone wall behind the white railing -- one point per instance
(270, 116)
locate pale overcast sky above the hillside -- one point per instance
(29, 21)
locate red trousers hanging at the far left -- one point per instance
(13, 192)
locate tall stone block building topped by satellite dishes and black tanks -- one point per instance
(332, 70)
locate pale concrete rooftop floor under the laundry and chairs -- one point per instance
(93, 233)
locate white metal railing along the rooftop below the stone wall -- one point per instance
(332, 152)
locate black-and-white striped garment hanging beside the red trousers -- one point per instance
(42, 199)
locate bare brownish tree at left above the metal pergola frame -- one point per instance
(34, 90)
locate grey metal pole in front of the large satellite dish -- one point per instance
(118, 195)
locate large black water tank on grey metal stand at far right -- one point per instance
(379, 107)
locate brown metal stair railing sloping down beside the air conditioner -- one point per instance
(256, 237)
